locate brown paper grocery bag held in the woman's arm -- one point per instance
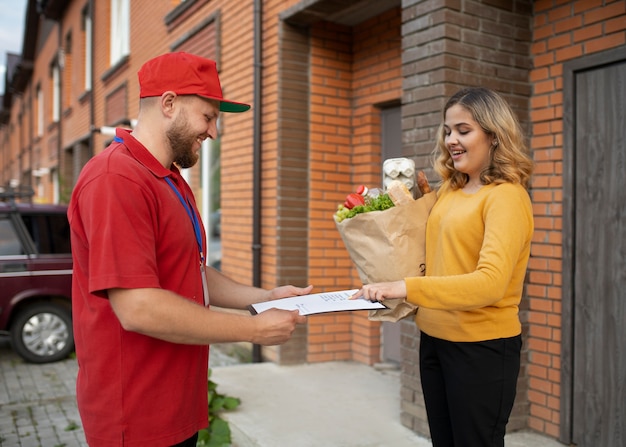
(389, 246)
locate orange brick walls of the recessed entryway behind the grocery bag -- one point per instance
(354, 71)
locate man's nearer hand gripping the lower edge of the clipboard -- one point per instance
(274, 326)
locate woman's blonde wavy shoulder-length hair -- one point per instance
(510, 158)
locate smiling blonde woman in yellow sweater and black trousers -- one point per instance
(477, 248)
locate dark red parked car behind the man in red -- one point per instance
(36, 280)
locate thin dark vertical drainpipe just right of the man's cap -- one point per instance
(256, 137)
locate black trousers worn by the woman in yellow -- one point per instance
(469, 389)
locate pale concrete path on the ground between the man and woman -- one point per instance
(338, 404)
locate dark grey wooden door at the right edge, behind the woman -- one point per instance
(598, 254)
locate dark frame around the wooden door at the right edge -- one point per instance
(570, 69)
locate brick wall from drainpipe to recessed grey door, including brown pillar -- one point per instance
(327, 81)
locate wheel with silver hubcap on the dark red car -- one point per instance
(43, 333)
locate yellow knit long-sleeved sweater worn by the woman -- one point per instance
(477, 250)
